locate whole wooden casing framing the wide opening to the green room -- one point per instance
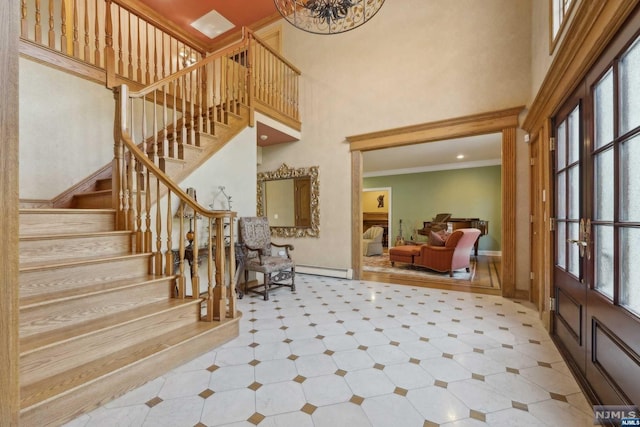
(504, 121)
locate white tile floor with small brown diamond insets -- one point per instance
(355, 353)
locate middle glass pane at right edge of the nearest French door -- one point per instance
(630, 180)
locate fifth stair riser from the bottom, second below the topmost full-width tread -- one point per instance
(66, 248)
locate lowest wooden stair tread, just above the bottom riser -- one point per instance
(85, 373)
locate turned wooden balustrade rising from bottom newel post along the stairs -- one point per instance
(162, 121)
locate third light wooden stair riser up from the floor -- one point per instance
(68, 317)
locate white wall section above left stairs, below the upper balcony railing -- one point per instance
(66, 130)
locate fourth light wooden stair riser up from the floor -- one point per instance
(42, 284)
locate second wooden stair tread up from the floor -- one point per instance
(34, 342)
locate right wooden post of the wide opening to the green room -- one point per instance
(509, 212)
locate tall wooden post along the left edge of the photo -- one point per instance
(9, 344)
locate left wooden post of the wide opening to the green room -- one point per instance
(356, 213)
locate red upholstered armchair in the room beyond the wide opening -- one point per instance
(455, 254)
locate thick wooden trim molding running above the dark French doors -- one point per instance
(594, 25)
